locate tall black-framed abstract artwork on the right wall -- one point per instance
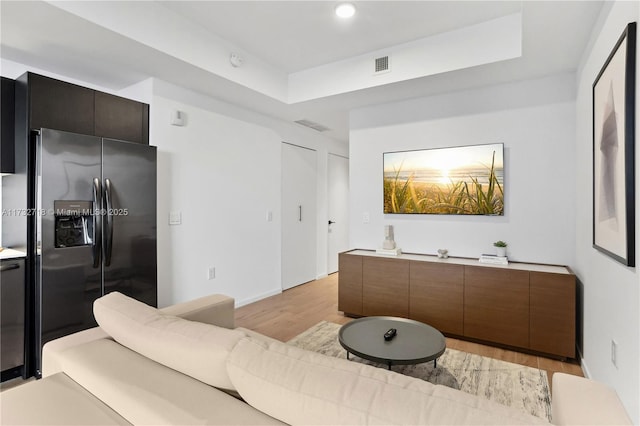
(613, 152)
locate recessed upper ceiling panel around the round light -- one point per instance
(294, 36)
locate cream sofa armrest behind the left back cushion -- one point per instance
(215, 309)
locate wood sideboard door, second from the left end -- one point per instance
(385, 287)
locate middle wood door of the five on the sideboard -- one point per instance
(436, 294)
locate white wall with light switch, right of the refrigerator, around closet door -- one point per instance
(222, 170)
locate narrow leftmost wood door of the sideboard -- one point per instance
(350, 284)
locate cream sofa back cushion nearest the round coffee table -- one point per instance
(302, 387)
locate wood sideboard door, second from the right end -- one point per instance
(496, 305)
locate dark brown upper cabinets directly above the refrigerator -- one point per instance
(53, 104)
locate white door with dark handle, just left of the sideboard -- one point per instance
(338, 195)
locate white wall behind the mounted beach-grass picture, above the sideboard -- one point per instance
(535, 121)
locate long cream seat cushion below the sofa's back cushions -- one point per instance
(147, 393)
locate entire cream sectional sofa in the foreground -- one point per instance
(186, 365)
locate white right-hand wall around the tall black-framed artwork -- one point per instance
(610, 291)
